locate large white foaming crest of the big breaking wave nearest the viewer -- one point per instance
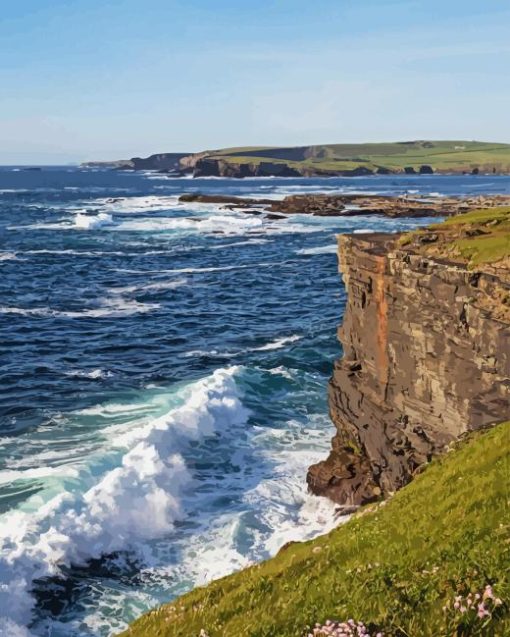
(137, 498)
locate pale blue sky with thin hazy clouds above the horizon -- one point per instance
(109, 79)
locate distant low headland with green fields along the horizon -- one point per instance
(328, 160)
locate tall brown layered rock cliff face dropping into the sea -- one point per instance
(426, 358)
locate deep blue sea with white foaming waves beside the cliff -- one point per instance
(164, 371)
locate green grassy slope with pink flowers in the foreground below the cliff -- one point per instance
(394, 566)
